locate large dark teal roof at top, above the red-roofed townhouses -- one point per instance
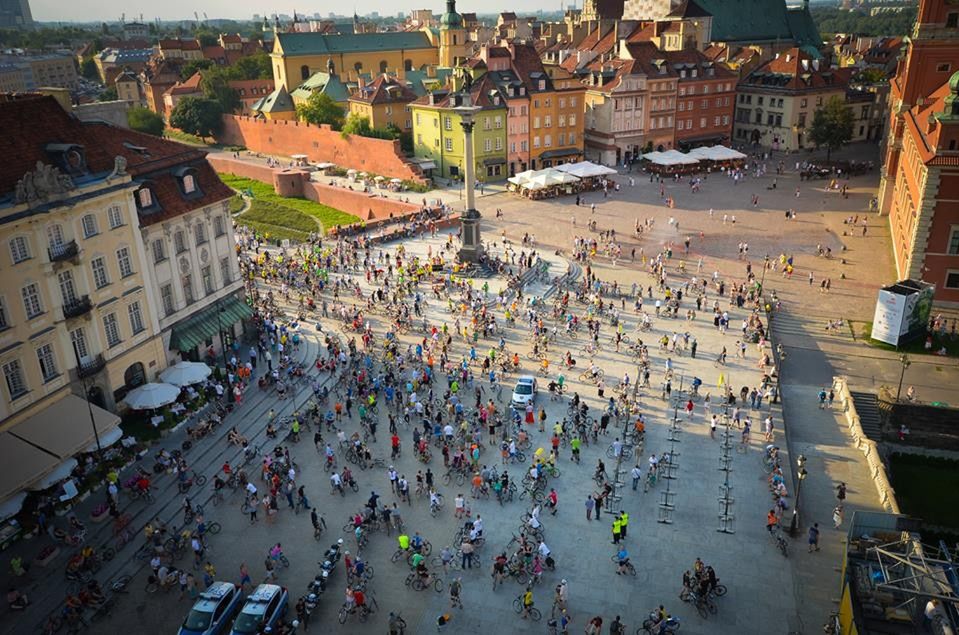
(760, 20)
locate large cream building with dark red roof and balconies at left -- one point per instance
(83, 313)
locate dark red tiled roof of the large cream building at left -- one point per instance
(32, 122)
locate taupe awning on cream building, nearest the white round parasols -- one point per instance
(63, 428)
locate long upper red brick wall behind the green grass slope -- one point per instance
(319, 143)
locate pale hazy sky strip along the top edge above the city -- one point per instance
(89, 10)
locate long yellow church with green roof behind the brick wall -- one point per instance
(297, 56)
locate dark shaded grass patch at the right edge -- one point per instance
(927, 487)
